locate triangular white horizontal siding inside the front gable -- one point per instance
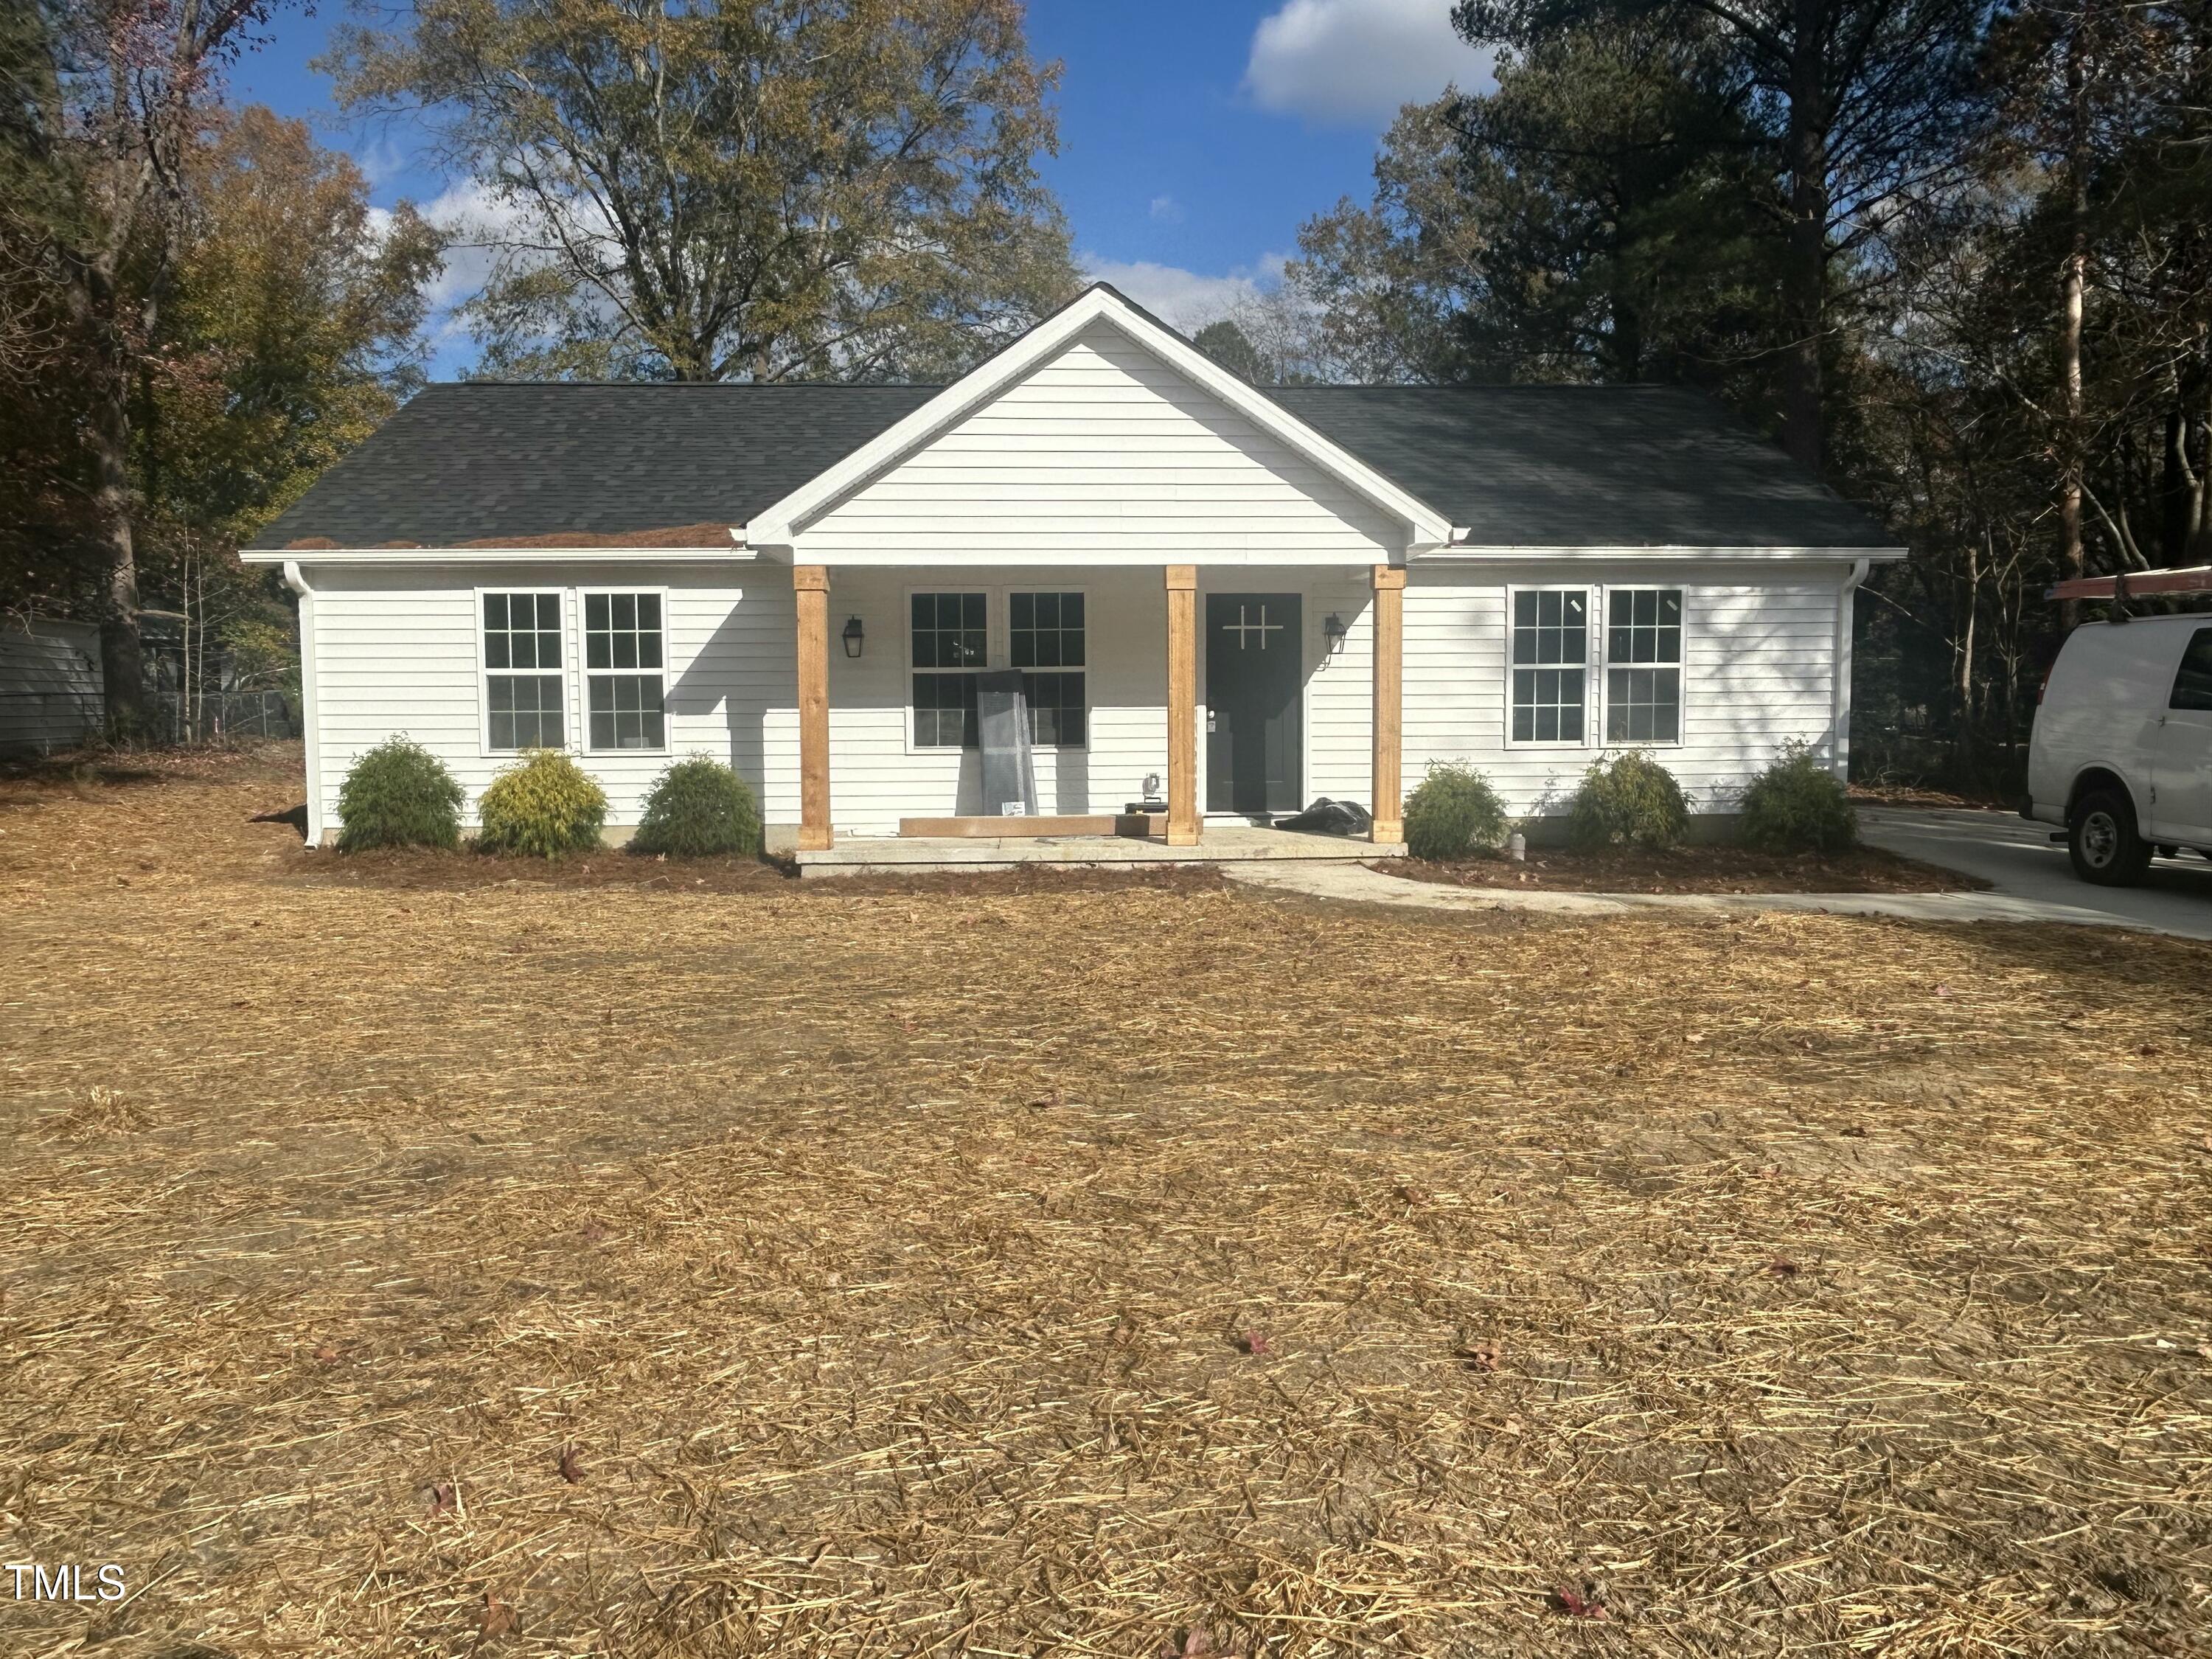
(1103, 452)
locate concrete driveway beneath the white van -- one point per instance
(2025, 864)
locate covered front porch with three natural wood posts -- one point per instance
(1147, 665)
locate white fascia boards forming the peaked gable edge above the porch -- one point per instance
(782, 523)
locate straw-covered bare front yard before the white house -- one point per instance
(501, 1266)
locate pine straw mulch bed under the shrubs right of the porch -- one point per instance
(1693, 870)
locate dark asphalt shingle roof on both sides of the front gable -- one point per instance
(1516, 466)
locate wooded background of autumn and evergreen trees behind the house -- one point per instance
(1952, 255)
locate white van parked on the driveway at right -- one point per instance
(2122, 751)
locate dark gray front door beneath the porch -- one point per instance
(1253, 680)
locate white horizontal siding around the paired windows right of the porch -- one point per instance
(1760, 658)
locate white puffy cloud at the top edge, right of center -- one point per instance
(1359, 61)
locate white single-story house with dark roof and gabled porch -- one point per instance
(1260, 596)
